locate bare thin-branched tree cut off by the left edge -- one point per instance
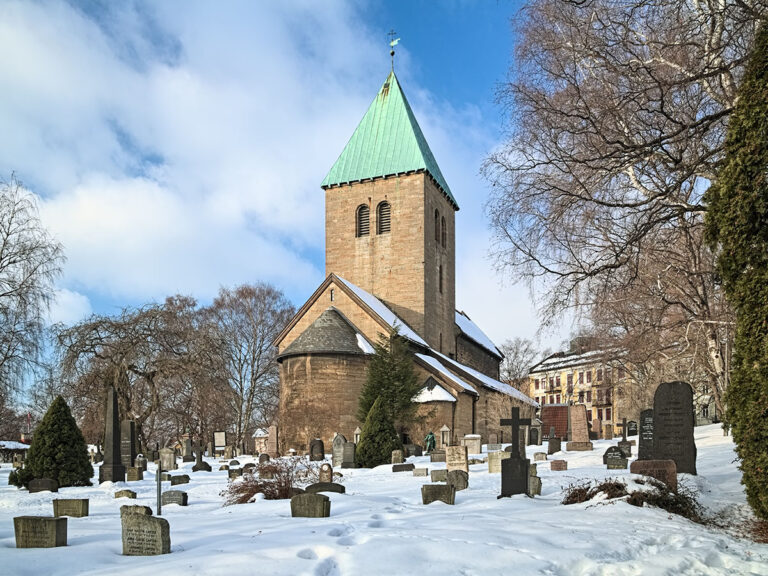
(30, 260)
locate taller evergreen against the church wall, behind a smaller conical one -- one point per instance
(391, 377)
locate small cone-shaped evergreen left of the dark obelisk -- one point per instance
(58, 450)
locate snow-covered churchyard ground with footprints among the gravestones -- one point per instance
(380, 527)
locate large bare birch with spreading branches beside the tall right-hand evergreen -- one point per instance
(618, 113)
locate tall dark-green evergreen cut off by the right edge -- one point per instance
(737, 225)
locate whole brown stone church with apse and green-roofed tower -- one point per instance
(390, 263)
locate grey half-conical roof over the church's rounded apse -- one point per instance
(331, 333)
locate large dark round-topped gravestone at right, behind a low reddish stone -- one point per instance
(673, 426)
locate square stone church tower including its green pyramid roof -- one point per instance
(390, 219)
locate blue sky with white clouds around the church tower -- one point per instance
(177, 147)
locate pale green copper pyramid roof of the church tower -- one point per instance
(388, 141)
